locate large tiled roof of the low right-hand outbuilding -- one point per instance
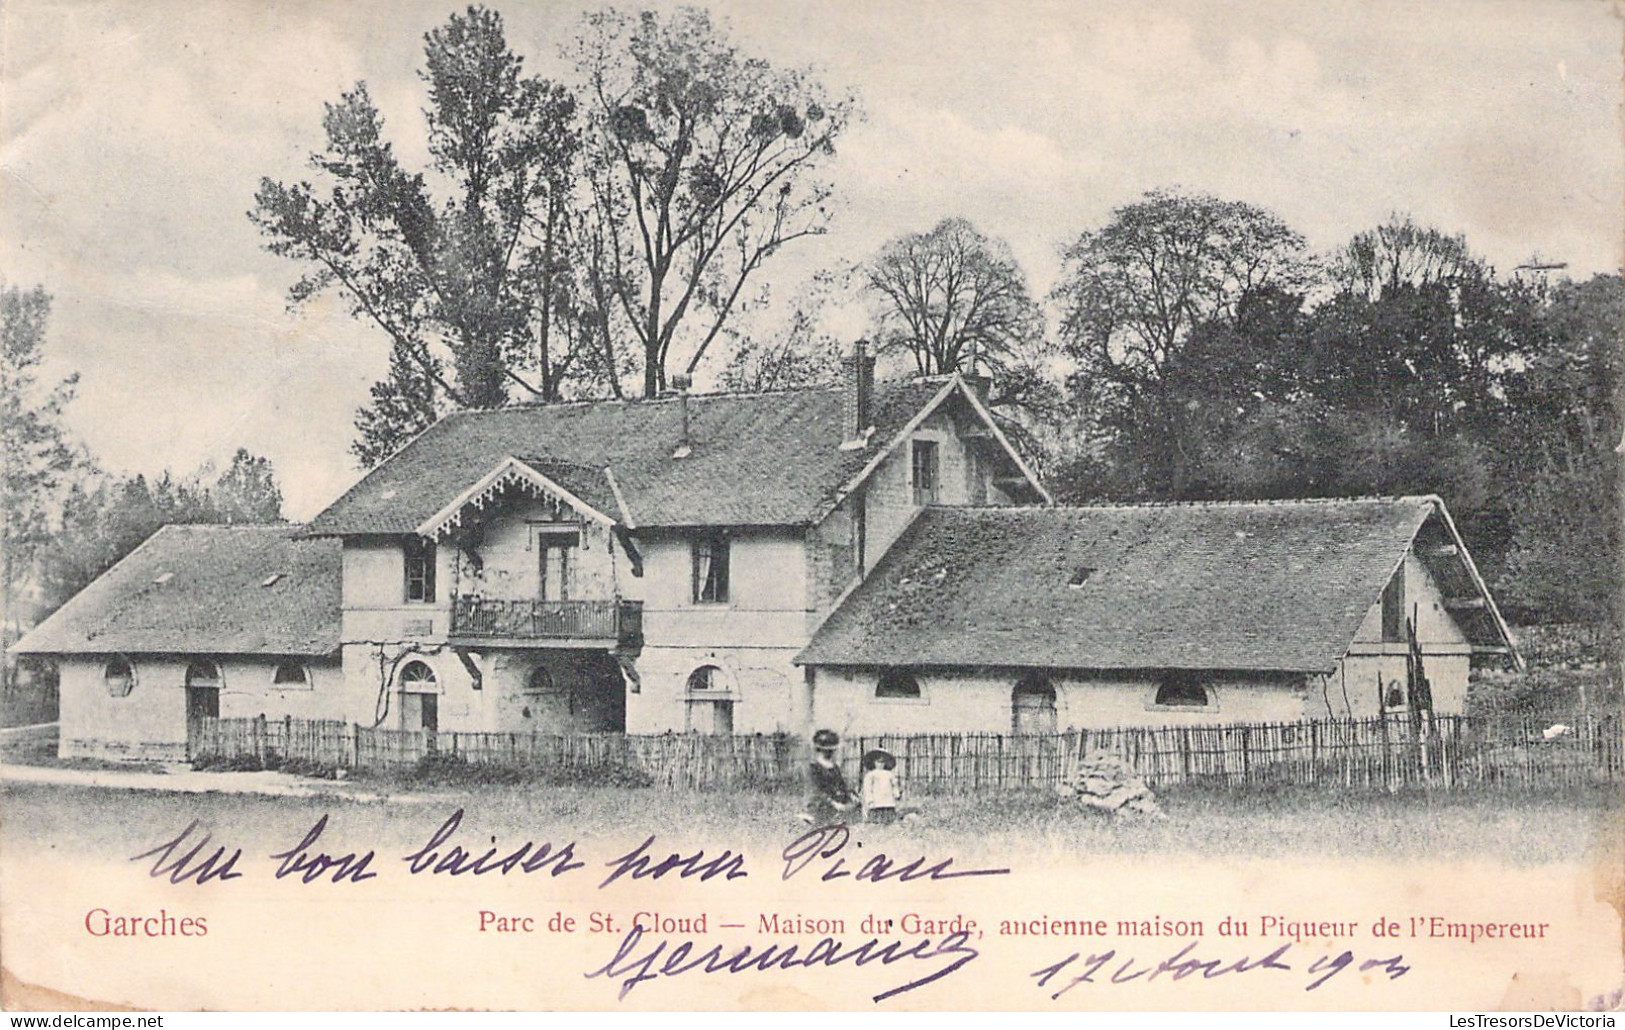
(1268, 587)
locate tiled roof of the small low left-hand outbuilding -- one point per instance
(204, 591)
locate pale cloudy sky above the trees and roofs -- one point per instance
(134, 134)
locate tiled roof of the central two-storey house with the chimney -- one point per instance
(756, 459)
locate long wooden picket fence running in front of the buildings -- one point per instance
(1444, 753)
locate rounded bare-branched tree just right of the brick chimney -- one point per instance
(955, 300)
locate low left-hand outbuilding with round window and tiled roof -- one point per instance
(199, 621)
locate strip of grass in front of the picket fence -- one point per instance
(1577, 824)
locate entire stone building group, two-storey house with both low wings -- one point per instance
(864, 556)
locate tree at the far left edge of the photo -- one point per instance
(37, 452)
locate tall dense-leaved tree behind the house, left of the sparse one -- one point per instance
(470, 280)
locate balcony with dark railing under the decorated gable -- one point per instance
(615, 623)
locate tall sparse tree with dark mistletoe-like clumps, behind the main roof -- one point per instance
(704, 163)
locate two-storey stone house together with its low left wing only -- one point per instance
(610, 566)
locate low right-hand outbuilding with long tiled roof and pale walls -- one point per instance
(1033, 620)
